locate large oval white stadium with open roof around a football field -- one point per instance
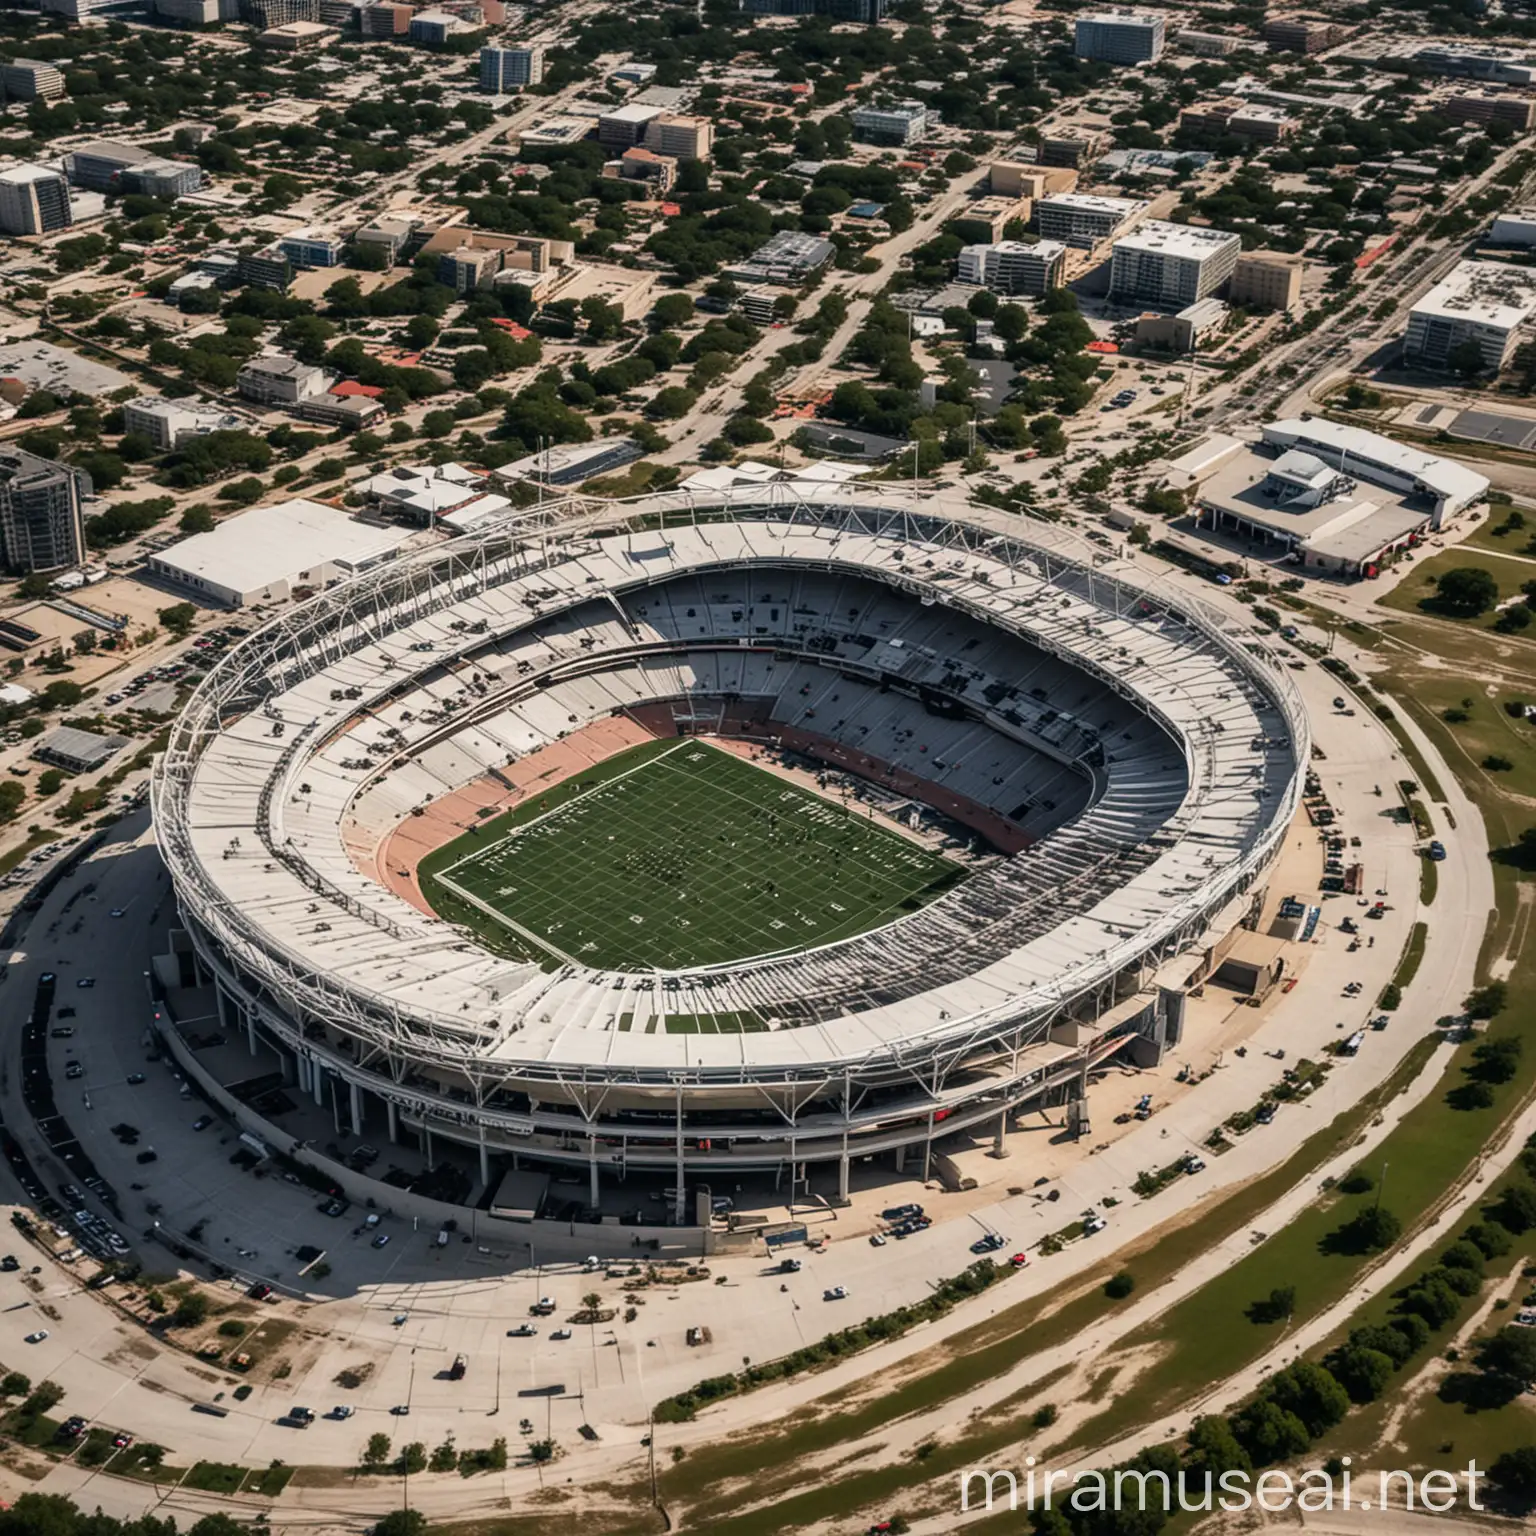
(667, 842)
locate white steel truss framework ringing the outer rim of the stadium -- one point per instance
(392, 1048)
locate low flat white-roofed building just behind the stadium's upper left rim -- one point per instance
(271, 554)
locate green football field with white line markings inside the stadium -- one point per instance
(680, 855)
